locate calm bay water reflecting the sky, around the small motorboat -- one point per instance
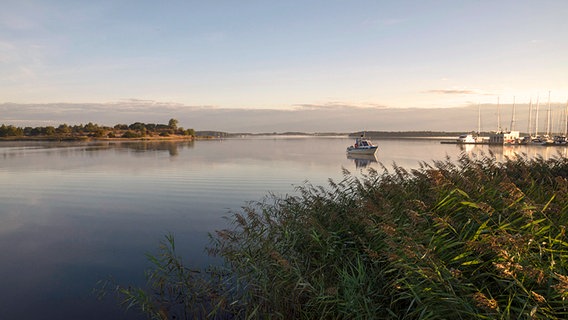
(75, 213)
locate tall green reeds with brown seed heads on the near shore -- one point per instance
(472, 238)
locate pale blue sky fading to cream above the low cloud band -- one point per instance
(231, 57)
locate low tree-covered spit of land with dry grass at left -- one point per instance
(134, 130)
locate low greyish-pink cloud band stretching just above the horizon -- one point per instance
(331, 117)
